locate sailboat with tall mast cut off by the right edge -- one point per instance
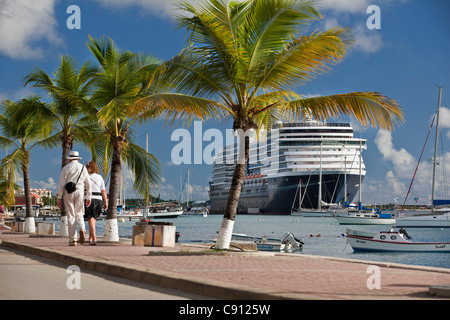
(435, 218)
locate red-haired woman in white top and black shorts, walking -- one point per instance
(98, 194)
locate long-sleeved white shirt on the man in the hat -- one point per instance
(70, 172)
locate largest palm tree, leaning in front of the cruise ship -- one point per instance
(249, 56)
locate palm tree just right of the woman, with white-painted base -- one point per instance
(128, 90)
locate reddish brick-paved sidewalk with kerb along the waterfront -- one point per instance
(243, 275)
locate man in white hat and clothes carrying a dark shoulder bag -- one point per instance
(74, 172)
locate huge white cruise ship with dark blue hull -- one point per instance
(287, 169)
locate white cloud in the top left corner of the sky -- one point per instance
(23, 23)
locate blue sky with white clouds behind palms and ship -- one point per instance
(406, 60)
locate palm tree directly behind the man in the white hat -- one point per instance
(69, 90)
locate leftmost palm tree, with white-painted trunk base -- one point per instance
(22, 131)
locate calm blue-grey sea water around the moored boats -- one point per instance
(330, 243)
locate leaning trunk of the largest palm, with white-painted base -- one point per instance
(226, 229)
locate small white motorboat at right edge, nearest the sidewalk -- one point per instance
(391, 241)
